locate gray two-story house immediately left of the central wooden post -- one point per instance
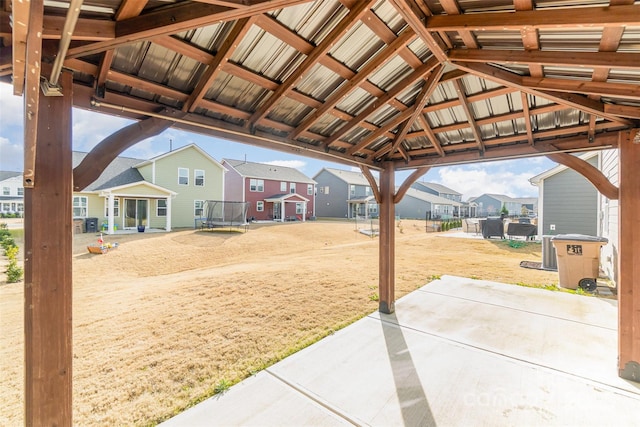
(344, 194)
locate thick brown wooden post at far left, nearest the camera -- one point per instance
(47, 265)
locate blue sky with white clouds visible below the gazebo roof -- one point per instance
(508, 177)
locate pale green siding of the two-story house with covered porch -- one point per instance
(166, 175)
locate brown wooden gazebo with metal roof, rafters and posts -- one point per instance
(383, 85)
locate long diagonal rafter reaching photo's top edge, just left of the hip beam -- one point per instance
(351, 19)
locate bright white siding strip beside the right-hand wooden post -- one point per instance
(609, 215)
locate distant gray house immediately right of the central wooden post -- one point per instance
(418, 204)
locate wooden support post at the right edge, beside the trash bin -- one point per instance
(629, 257)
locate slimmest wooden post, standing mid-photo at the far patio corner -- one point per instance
(386, 262)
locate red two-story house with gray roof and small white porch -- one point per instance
(276, 193)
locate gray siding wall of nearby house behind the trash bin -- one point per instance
(570, 203)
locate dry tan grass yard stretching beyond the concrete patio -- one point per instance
(165, 318)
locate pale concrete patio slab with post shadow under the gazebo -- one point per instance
(457, 352)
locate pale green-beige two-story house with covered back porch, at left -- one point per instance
(165, 192)
